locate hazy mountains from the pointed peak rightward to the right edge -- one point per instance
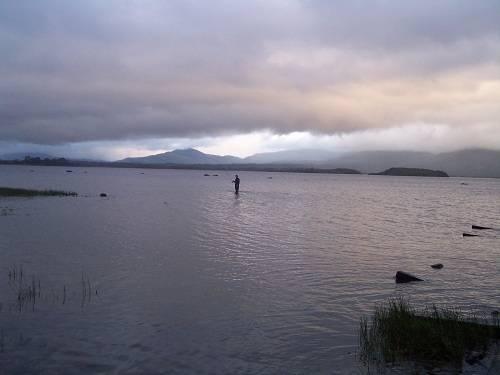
(467, 163)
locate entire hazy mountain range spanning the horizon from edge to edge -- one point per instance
(466, 163)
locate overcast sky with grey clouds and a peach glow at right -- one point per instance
(115, 78)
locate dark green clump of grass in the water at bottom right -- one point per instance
(398, 332)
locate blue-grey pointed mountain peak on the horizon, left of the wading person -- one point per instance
(186, 156)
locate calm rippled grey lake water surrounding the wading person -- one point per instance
(180, 276)
